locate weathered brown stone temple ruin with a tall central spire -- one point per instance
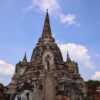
(46, 76)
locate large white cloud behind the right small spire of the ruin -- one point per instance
(78, 53)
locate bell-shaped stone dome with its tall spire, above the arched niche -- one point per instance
(46, 43)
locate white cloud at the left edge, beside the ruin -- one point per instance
(6, 69)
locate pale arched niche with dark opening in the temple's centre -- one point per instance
(48, 60)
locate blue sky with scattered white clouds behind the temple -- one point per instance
(75, 25)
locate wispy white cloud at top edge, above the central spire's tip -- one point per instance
(42, 5)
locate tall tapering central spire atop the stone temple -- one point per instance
(46, 29)
